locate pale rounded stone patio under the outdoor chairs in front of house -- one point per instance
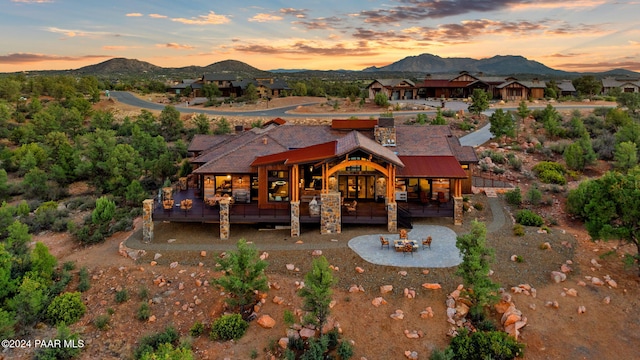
(443, 251)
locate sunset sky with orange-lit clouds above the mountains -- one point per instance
(579, 35)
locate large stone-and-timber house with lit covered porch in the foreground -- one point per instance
(304, 174)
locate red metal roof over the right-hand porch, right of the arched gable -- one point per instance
(431, 166)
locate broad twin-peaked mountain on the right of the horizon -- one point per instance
(497, 65)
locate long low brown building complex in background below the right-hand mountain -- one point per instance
(460, 85)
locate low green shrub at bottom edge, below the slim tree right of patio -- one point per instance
(482, 345)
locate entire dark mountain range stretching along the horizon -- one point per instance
(411, 66)
